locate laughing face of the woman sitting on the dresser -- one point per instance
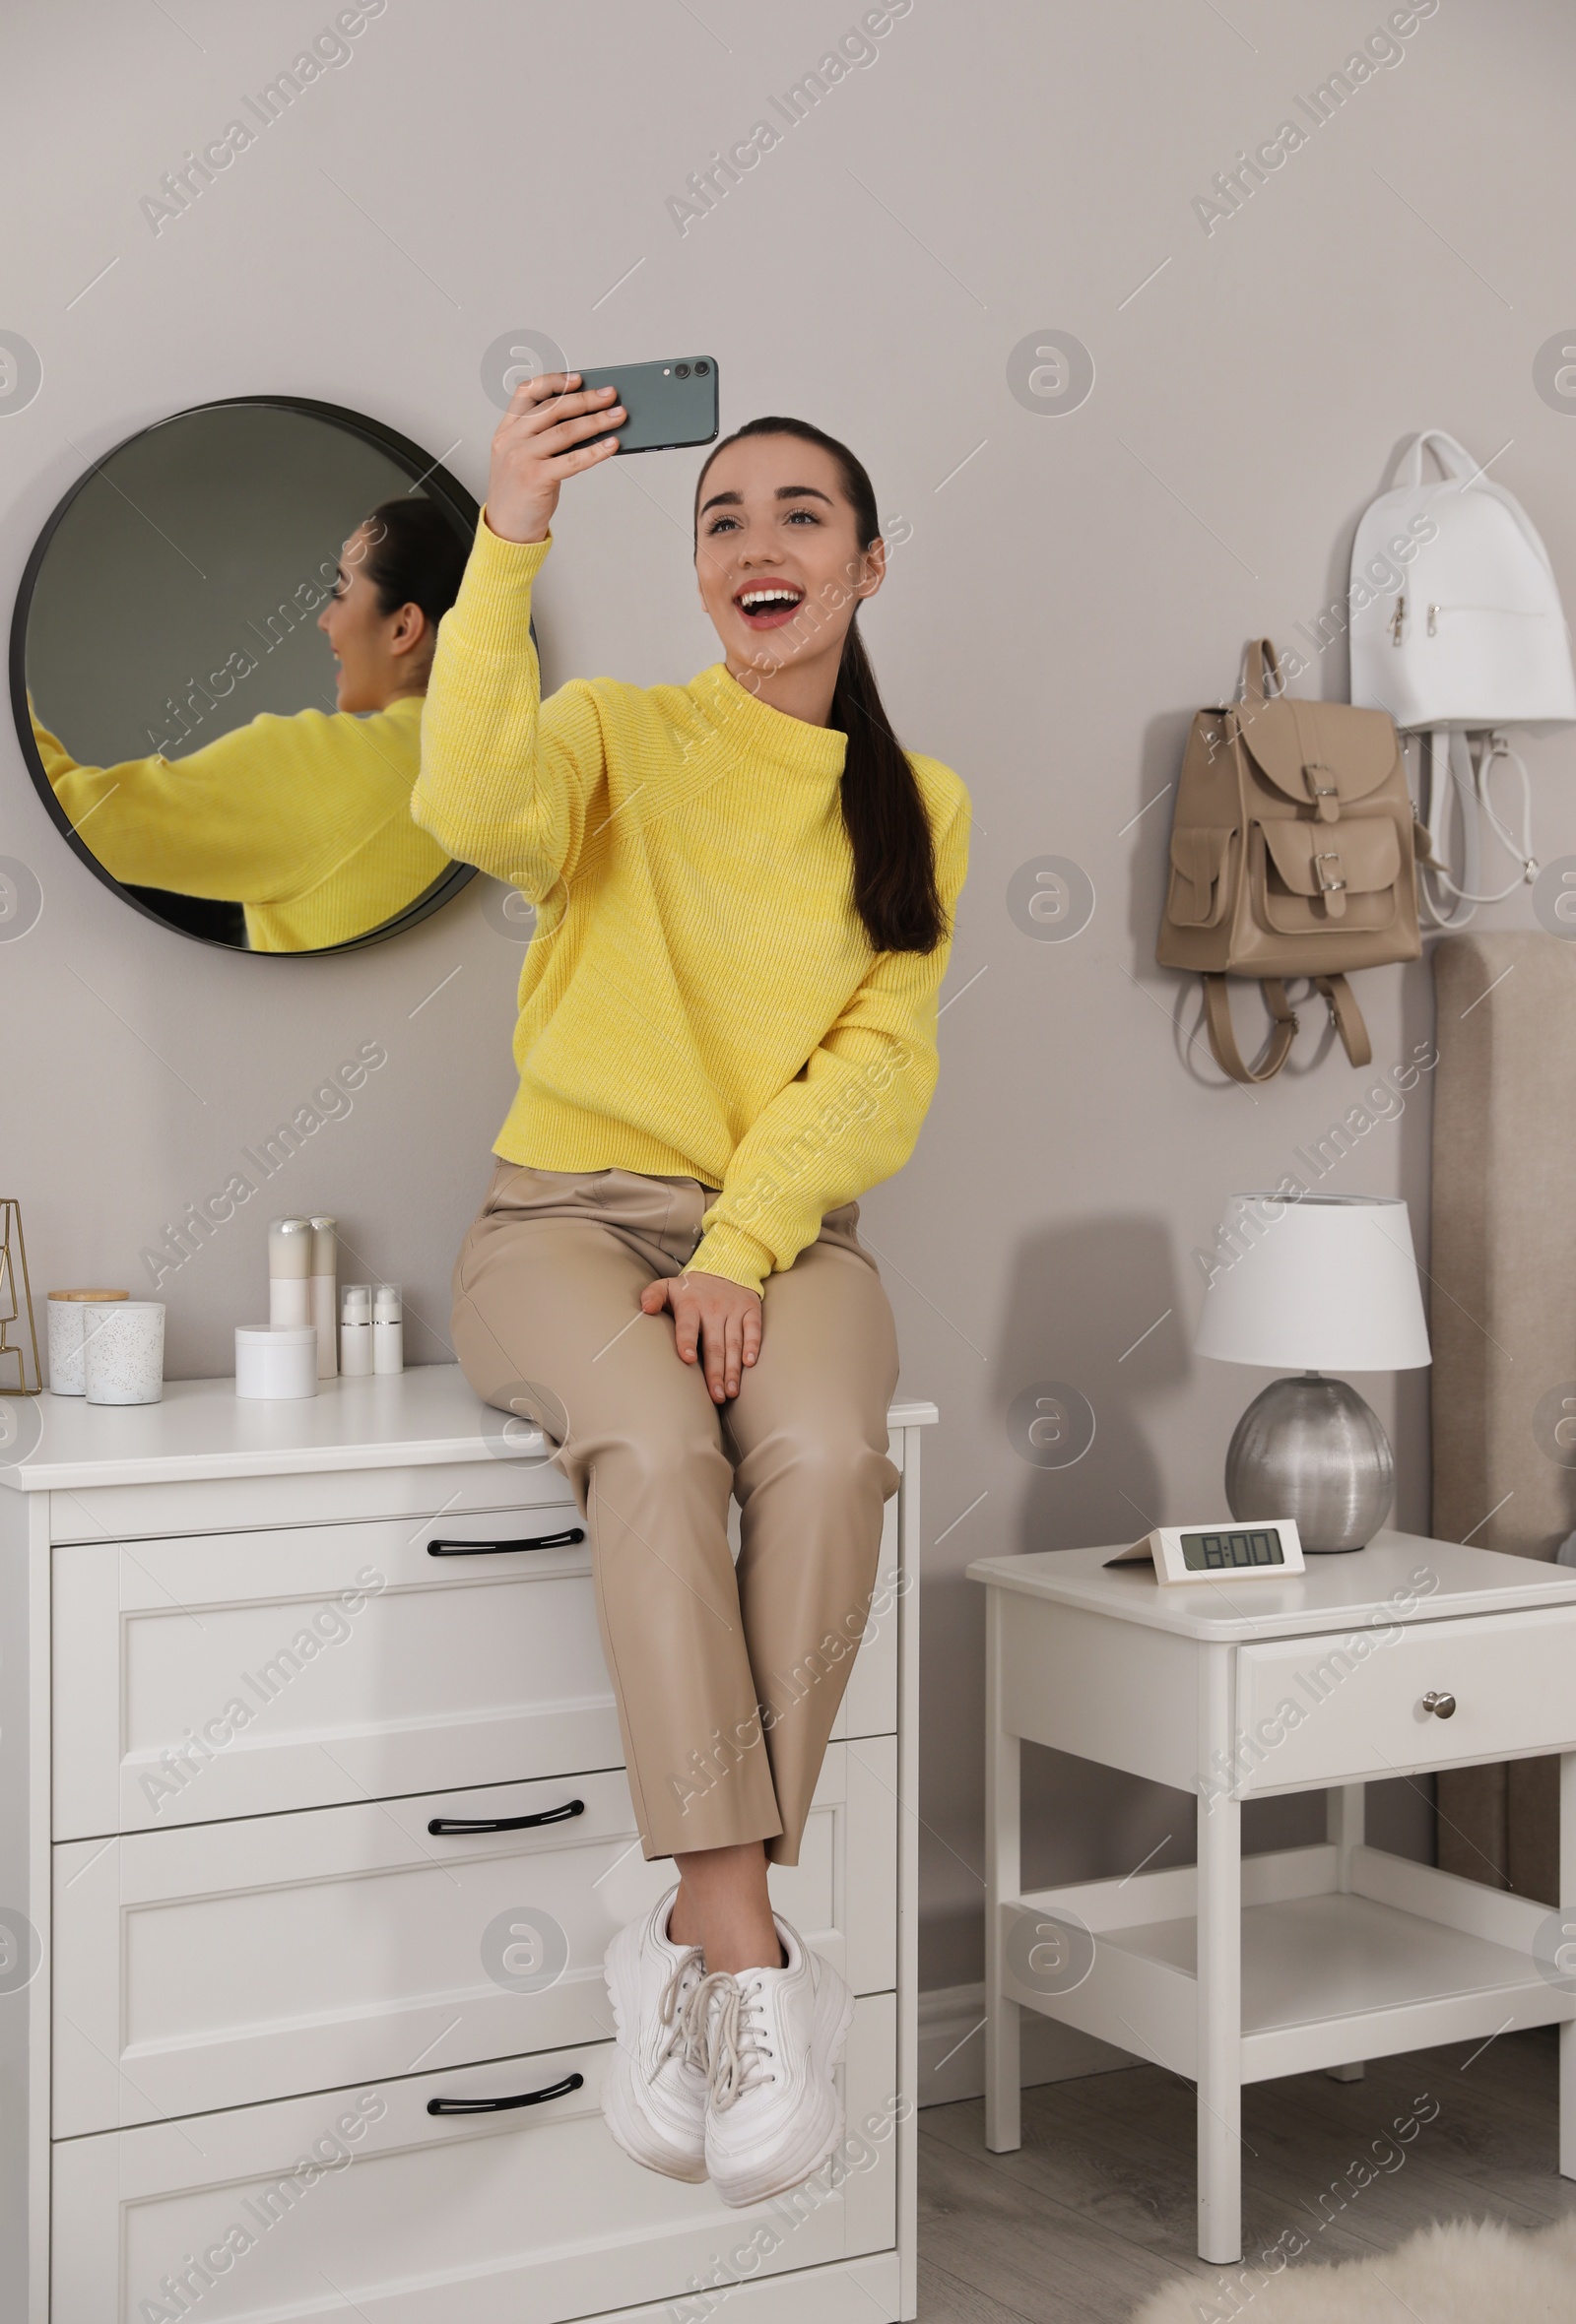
(778, 554)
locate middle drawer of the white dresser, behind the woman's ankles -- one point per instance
(227, 1965)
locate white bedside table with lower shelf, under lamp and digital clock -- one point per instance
(1394, 1660)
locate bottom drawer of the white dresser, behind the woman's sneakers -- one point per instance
(359, 2202)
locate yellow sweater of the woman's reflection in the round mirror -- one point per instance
(306, 822)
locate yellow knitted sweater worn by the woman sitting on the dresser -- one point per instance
(701, 996)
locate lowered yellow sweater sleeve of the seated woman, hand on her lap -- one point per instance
(857, 1112)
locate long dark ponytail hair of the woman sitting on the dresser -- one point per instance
(884, 812)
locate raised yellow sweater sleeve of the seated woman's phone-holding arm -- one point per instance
(508, 782)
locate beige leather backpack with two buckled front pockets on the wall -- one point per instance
(1291, 856)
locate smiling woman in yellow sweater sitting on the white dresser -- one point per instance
(726, 1035)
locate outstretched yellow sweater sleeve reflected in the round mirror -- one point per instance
(250, 819)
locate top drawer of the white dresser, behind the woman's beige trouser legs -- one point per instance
(252, 1674)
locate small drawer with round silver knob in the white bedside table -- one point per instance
(1340, 1707)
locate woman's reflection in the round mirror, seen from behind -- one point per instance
(303, 822)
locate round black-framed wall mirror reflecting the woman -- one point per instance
(220, 657)
